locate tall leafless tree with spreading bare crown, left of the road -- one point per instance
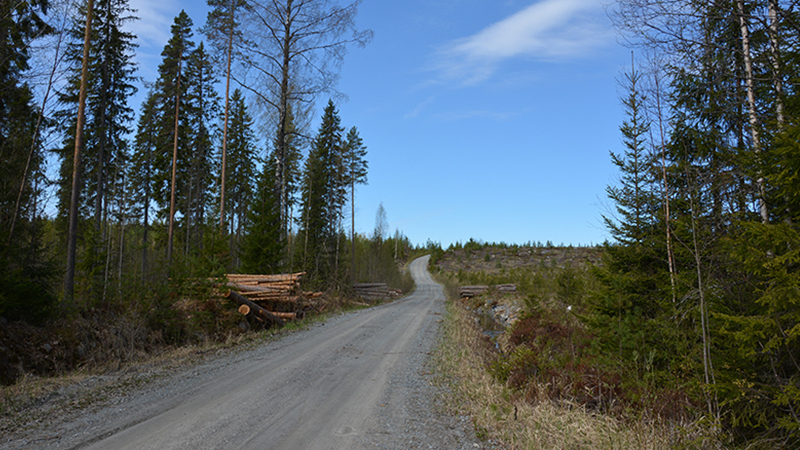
(293, 53)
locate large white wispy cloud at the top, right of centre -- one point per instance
(548, 29)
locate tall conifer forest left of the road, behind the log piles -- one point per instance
(116, 209)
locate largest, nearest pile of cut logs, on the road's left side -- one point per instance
(271, 299)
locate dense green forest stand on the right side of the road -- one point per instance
(700, 287)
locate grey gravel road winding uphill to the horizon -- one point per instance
(359, 381)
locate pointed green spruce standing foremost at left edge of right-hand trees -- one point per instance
(630, 304)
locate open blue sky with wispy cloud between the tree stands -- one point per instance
(484, 119)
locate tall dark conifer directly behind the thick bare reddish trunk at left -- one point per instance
(111, 75)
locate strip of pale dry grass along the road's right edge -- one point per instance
(505, 417)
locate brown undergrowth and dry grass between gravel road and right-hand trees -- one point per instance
(543, 382)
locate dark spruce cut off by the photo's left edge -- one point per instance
(27, 290)
